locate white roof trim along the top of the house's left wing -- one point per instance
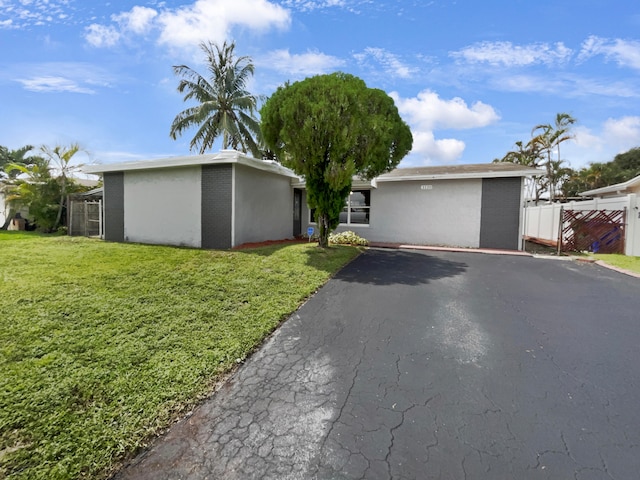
(225, 156)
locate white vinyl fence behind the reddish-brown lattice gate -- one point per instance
(543, 221)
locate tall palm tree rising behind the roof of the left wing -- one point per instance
(225, 107)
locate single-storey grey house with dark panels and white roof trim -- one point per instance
(226, 199)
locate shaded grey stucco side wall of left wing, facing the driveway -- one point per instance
(263, 206)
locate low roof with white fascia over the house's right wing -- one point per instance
(477, 170)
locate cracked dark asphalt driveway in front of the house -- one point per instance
(430, 365)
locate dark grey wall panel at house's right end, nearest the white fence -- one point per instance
(500, 221)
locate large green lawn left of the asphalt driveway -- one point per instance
(102, 345)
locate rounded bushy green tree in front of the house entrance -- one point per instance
(329, 128)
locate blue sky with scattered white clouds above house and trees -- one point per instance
(470, 77)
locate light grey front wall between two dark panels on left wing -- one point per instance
(163, 206)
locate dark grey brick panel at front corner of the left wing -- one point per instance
(216, 205)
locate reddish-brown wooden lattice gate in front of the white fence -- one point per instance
(601, 231)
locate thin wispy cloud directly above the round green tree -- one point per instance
(300, 65)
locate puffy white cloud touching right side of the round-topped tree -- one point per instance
(427, 112)
